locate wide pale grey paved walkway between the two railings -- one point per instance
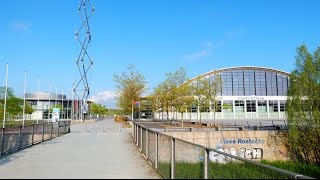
(92, 150)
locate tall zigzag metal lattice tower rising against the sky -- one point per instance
(84, 62)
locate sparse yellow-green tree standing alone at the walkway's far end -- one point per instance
(130, 85)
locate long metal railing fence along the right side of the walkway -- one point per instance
(178, 159)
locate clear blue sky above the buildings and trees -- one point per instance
(156, 36)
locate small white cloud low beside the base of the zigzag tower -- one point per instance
(106, 98)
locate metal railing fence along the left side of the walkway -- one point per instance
(16, 138)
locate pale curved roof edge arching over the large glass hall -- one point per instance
(239, 68)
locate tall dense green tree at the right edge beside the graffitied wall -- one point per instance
(303, 108)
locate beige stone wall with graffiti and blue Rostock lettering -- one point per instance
(254, 145)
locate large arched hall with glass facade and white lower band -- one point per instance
(248, 92)
